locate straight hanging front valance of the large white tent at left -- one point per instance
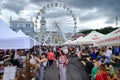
(16, 43)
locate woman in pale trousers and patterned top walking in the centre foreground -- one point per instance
(61, 63)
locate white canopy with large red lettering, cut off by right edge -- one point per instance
(111, 39)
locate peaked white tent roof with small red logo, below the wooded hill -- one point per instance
(91, 38)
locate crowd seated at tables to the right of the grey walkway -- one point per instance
(99, 61)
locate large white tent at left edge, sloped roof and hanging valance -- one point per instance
(10, 40)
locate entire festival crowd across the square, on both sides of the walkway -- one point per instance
(33, 63)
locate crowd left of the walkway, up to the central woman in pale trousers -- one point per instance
(32, 63)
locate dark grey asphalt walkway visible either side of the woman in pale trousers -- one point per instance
(75, 71)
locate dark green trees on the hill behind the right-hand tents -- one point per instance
(105, 30)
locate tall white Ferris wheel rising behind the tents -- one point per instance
(58, 17)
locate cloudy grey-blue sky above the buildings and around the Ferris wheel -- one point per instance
(89, 13)
